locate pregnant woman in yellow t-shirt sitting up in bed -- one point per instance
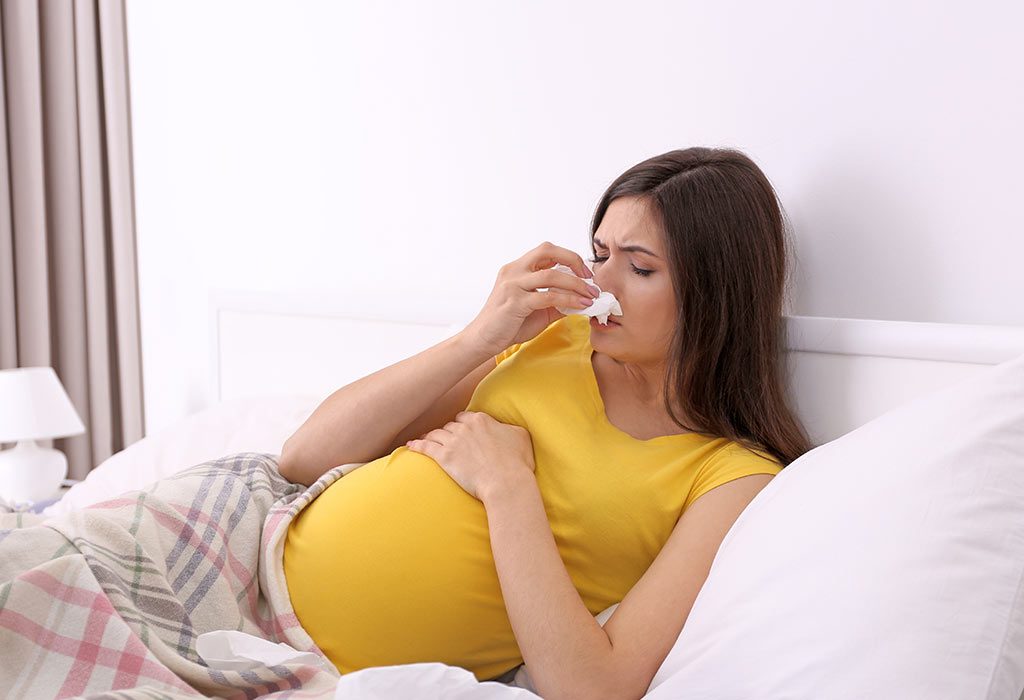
(540, 467)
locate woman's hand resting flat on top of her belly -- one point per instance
(481, 454)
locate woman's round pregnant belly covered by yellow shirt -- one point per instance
(393, 564)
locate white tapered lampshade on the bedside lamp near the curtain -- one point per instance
(34, 406)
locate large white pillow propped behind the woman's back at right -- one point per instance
(885, 564)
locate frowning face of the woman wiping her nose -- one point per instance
(641, 282)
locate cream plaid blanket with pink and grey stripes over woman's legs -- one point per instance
(113, 597)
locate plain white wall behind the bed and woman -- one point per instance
(377, 149)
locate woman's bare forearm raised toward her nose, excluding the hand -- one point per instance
(360, 421)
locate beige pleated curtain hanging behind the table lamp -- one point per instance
(69, 291)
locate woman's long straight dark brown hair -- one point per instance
(728, 241)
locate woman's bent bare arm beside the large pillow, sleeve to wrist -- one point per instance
(568, 652)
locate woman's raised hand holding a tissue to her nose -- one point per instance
(517, 312)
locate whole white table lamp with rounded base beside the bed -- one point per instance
(34, 407)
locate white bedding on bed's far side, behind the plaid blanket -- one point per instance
(259, 425)
